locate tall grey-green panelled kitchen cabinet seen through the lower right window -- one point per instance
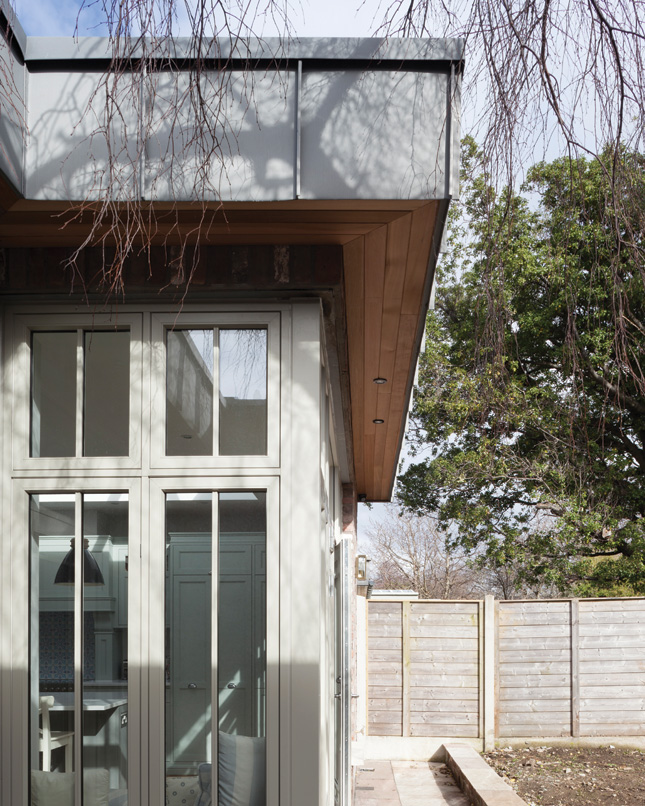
(241, 637)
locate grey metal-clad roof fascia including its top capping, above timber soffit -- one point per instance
(315, 119)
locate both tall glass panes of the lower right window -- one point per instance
(241, 630)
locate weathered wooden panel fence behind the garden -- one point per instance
(487, 669)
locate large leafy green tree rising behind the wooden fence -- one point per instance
(530, 409)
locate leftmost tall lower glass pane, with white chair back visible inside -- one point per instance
(52, 648)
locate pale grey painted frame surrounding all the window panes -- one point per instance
(144, 481)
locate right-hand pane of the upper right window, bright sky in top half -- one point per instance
(243, 392)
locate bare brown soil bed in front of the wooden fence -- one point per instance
(573, 776)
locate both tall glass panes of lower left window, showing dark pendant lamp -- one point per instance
(102, 652)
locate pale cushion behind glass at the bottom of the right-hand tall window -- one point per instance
(242, 772)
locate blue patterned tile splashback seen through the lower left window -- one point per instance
(57, 646)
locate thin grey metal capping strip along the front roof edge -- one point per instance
(375, 50)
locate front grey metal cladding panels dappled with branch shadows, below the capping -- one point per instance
(377, 132)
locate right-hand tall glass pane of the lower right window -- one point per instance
(242, 640)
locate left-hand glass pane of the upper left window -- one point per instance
(53, 394)
